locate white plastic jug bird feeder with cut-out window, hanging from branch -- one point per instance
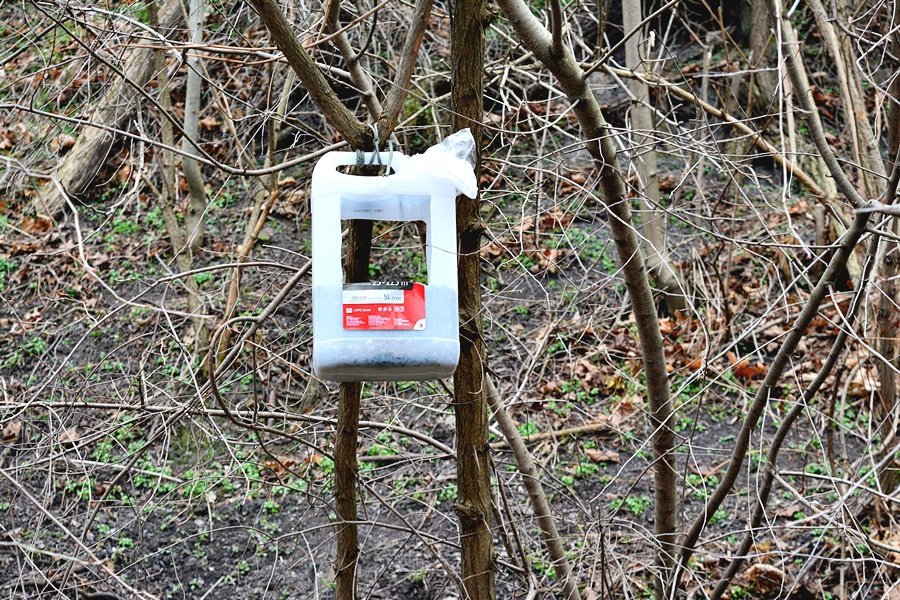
(389, 330)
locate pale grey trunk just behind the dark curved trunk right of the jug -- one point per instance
(653, 217)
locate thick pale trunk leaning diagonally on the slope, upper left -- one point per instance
(84, 160)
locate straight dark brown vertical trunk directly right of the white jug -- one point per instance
(470, 402)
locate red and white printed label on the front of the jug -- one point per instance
(388, 305)
